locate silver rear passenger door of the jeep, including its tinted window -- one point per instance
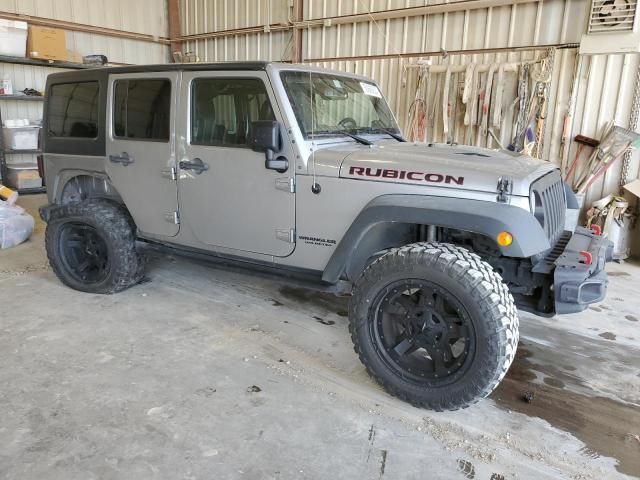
(141, 148)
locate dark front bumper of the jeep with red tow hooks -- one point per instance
(577, 284)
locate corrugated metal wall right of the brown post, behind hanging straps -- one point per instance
(385, 39)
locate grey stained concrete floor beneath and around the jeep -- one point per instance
(158, 382)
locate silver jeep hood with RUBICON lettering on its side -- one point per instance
(453, 166)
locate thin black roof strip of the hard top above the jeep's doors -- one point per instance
(167, 67)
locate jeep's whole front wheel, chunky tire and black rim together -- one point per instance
(434, 325)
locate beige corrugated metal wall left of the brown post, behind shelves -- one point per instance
(147, 17)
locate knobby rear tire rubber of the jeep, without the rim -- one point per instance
(114, 226)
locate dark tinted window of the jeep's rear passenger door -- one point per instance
(142, 109)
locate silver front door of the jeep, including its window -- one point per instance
(227, 197)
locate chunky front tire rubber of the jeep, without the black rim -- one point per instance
(478, 288)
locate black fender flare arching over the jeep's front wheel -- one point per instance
(362, 239)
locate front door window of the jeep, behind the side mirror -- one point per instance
(222, 110)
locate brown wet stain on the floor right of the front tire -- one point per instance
(601, 423)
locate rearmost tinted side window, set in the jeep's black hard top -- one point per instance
(73, 110)
